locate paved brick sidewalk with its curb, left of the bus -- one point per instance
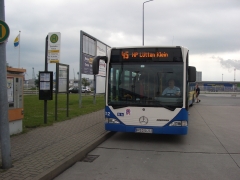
(45, 152)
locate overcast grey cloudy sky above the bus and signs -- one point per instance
(210, 29)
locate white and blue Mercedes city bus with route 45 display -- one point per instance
(135, 82)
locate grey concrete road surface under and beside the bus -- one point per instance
(211, 150)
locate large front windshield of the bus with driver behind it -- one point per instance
(154, 84)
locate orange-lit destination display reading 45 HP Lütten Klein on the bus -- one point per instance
(146, 54)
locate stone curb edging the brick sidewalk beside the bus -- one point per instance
(61, 166)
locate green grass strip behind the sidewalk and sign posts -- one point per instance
(34, 108)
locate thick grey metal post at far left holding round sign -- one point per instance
(4, 124)
